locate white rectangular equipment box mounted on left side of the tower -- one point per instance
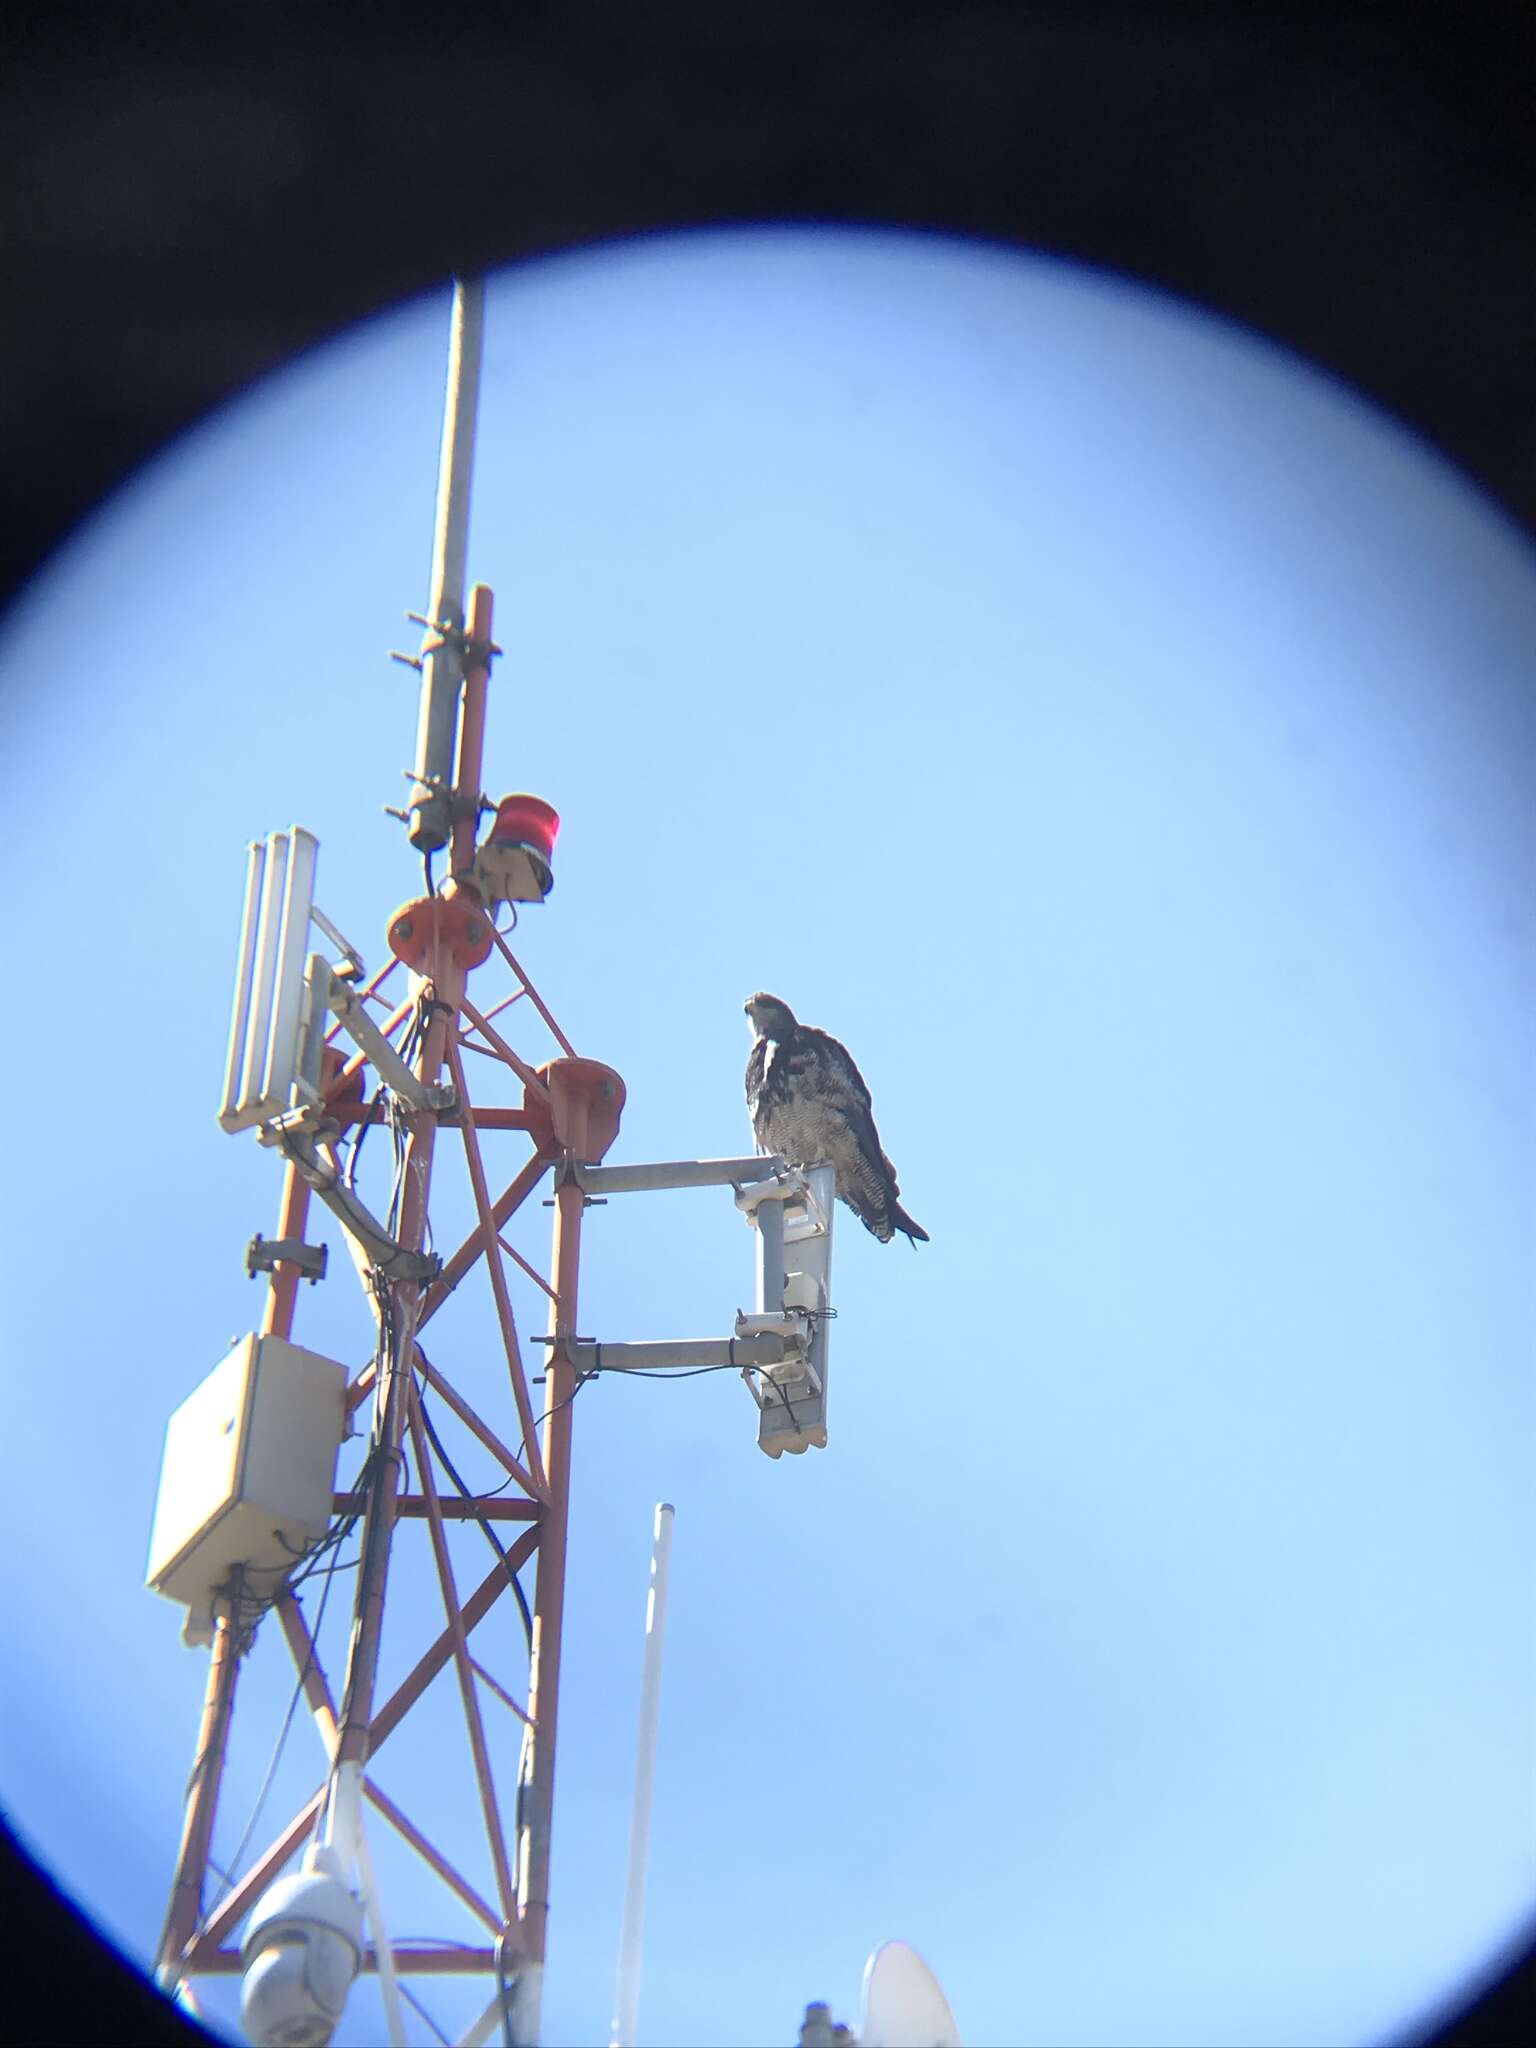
(249, 1474)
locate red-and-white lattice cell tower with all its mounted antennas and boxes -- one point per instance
(251, 1508)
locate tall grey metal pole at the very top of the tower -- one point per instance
(443, 654)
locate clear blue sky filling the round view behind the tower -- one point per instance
(1121, 736)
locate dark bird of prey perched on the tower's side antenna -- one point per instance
(810, 1105)
